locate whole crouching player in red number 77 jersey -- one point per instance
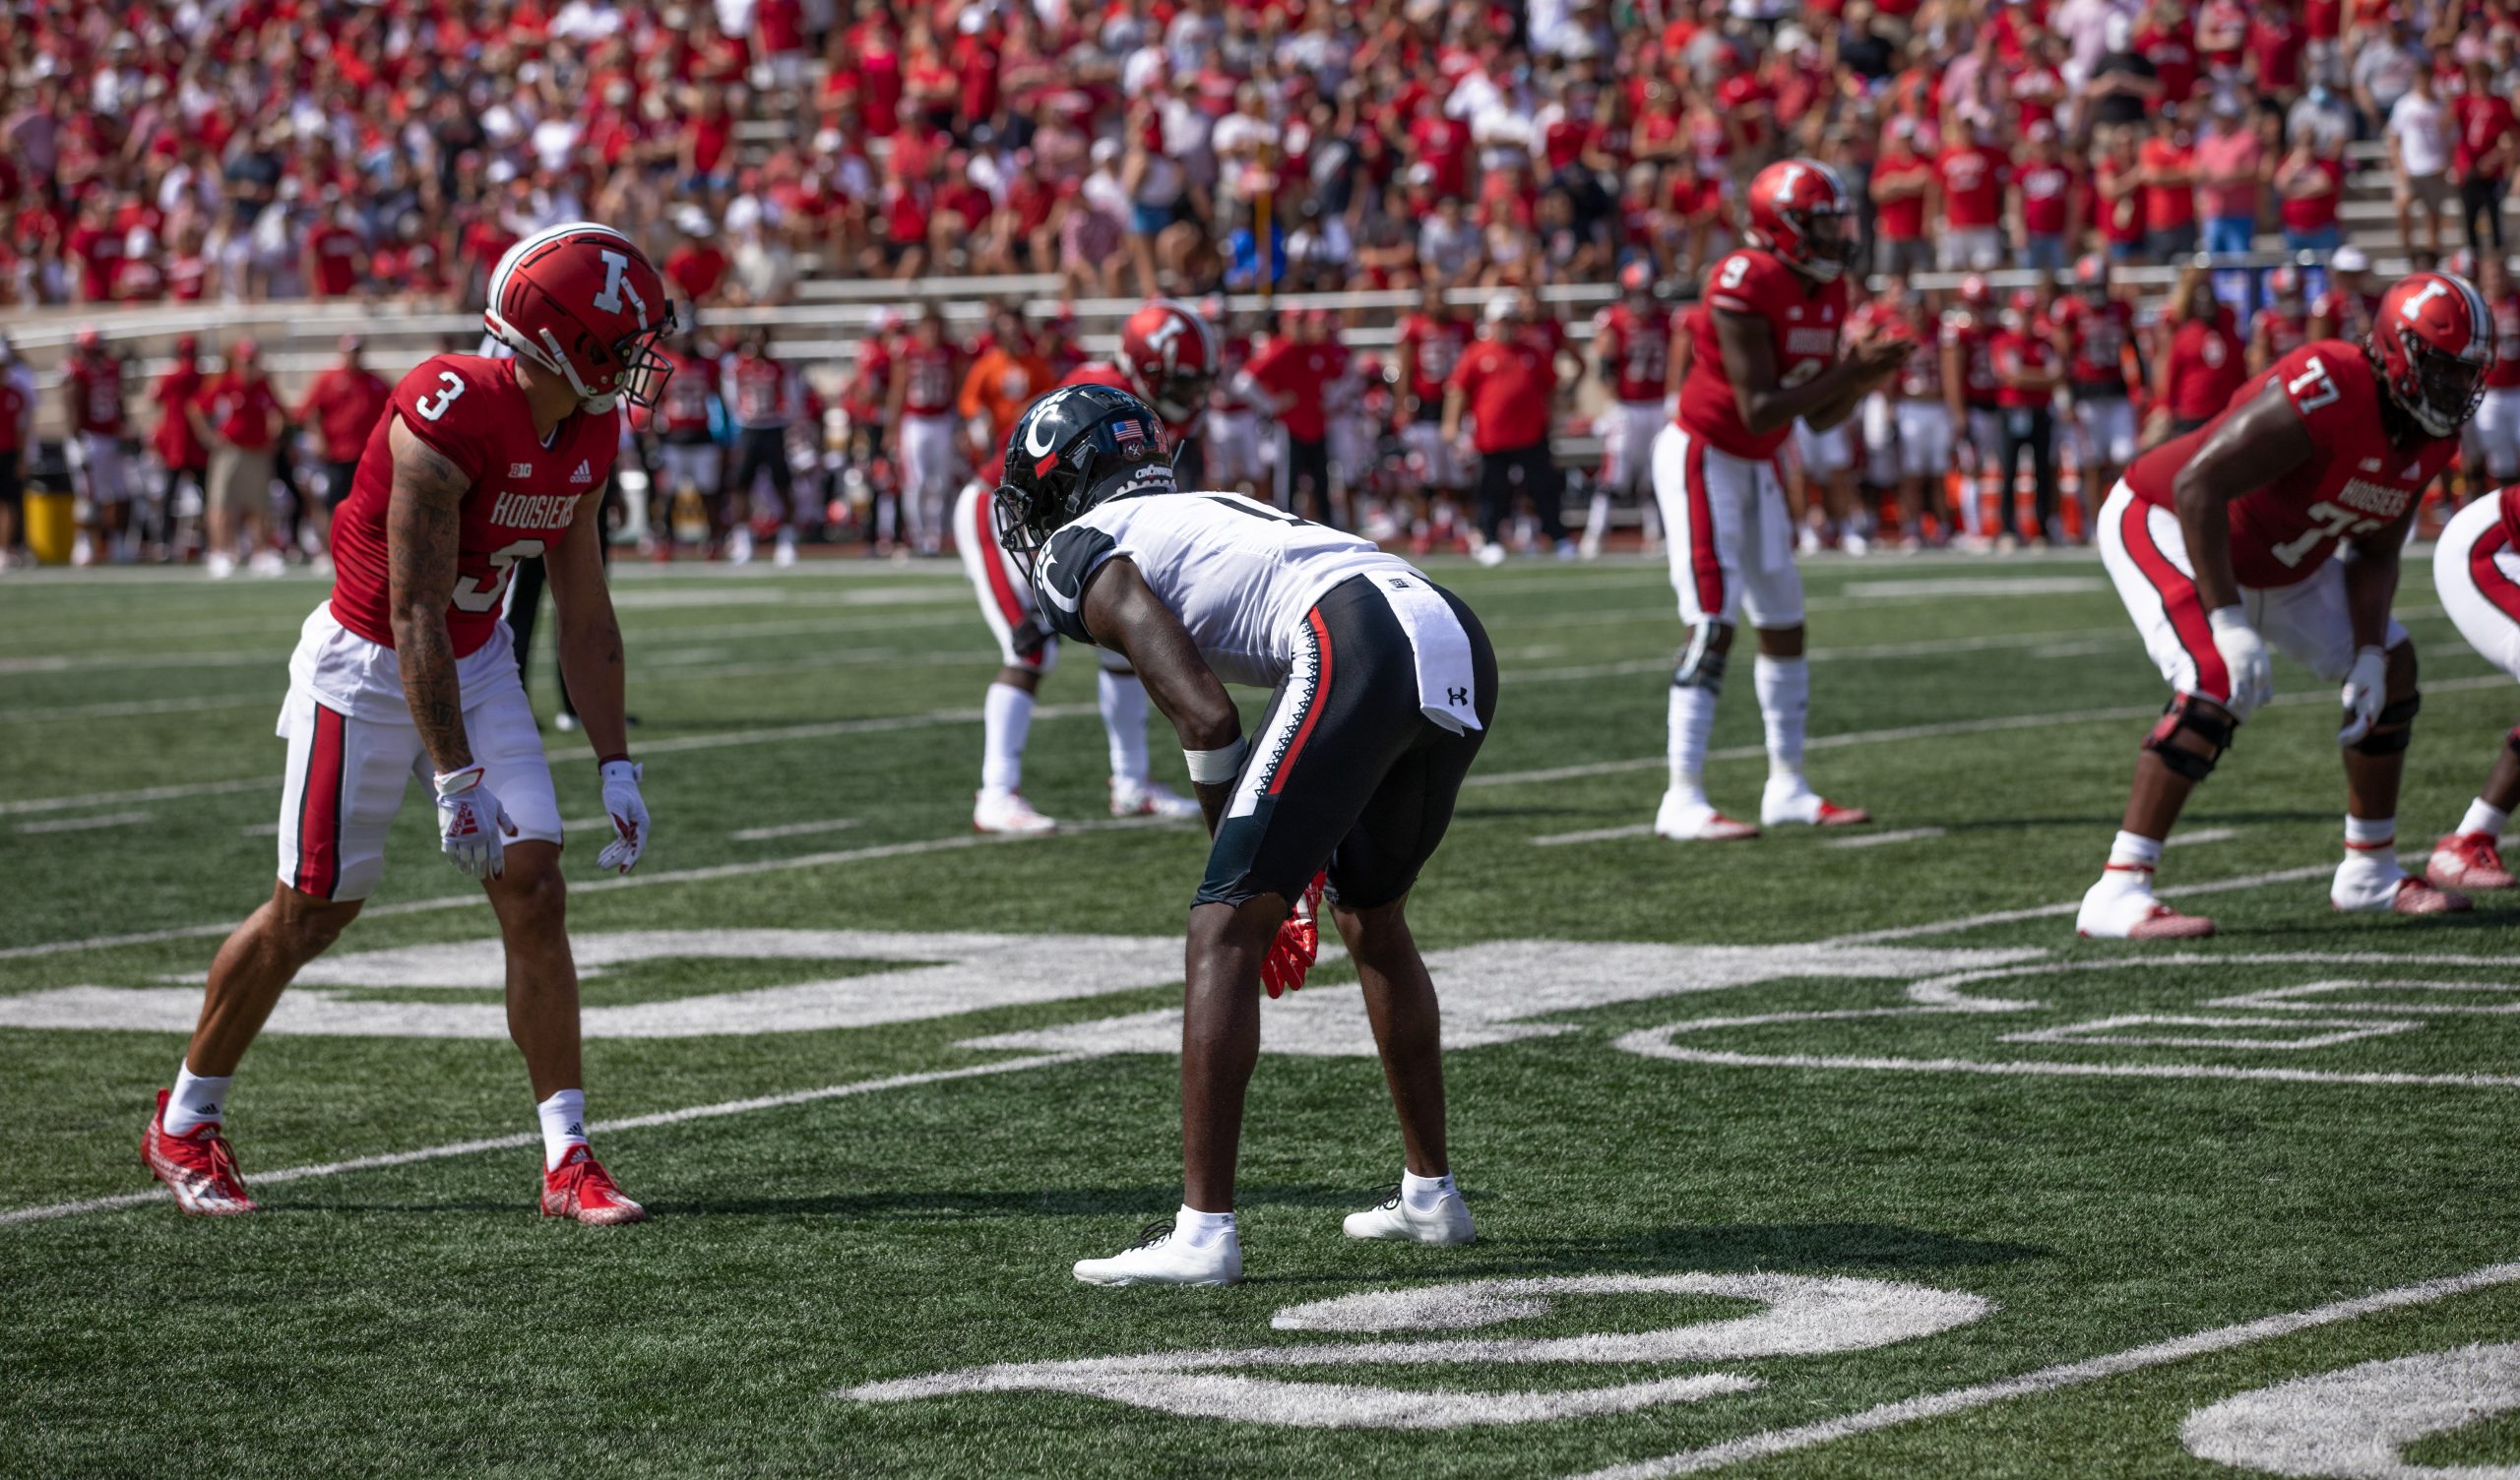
(2221, 545)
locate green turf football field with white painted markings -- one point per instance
(1813, 1157)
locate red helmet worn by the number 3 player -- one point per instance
(586, 303)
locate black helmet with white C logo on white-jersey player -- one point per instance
(1070, 452)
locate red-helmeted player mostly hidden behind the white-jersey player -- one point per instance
(1165, 359)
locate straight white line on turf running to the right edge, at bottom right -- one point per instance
(2055, 1378)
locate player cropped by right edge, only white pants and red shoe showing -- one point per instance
(2476, 568)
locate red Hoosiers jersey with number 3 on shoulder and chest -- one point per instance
(520, 505)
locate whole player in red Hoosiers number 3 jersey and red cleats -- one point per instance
(407, 673)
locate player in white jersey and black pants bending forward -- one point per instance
(1385, 686)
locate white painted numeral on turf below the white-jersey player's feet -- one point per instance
(1803, 1318)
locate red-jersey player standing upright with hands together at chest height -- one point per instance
(1763, 356)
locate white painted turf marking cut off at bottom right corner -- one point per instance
(2355, 1421)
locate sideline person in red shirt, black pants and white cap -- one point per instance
(1508, 381)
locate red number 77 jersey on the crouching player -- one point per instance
(2355, 485)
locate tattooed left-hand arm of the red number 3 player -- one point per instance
(422, 530)
